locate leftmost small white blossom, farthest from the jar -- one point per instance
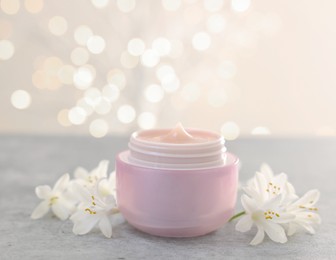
(55, 199)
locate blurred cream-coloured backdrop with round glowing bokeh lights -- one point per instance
(101, 67)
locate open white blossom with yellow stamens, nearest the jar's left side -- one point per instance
(95, 208)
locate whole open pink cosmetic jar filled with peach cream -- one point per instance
(176, 182)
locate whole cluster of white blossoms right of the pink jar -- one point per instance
(270, 203)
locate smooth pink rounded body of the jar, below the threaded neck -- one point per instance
(176, 202)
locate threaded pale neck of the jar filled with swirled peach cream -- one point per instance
(177, 148)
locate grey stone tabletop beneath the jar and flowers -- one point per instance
(28, 161)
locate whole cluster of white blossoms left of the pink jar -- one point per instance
(89, 199)
